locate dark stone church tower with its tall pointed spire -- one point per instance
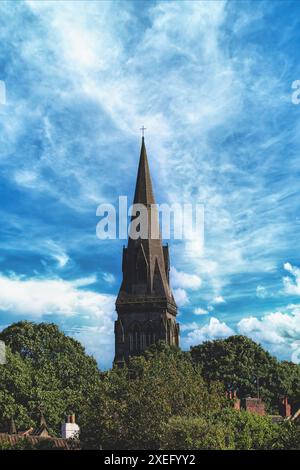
(145, 304)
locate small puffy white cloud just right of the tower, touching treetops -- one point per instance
(215, 329)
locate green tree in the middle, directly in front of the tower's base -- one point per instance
(137, 401)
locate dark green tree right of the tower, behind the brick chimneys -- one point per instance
(237, 361)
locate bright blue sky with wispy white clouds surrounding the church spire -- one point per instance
(212, 83)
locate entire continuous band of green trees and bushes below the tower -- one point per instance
(165, 399)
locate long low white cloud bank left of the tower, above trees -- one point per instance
(71, 303)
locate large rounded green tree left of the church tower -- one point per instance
(43, 367)
